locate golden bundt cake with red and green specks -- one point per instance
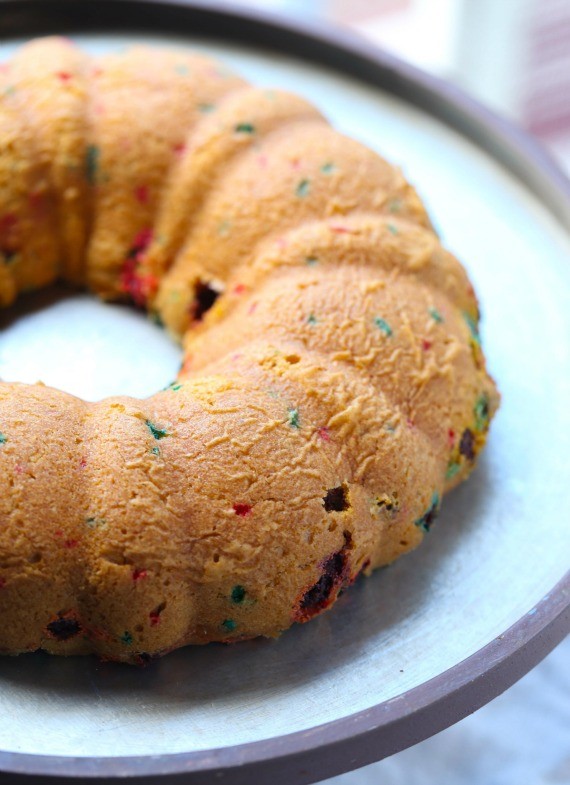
(333, 384)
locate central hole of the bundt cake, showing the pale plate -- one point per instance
(85, 347)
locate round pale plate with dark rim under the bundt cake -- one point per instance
(447, 628)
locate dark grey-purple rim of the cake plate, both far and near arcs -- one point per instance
(388, 727)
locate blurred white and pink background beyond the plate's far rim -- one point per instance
(513, 55)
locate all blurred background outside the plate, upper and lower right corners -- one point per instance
(514, 57)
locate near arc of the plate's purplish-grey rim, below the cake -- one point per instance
(350, 742)
